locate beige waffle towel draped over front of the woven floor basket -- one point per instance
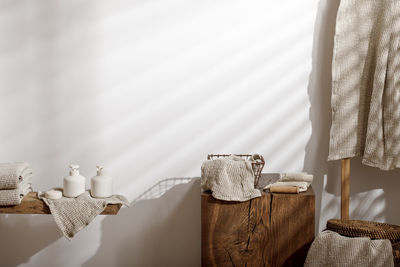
(331, 249)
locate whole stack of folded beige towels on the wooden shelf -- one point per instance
(15, 182)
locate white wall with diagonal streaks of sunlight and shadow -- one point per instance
(149, 88)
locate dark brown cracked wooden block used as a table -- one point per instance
(272, 230)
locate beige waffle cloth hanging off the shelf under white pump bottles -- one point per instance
(73, 214)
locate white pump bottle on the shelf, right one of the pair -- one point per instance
(102, 184)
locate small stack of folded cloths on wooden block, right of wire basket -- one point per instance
(291, 183)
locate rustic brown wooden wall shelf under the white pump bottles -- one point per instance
(32, 205)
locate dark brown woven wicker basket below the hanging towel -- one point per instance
(373, 230)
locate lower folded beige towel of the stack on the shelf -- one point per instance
(14, 196)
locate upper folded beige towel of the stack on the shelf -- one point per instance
(11, 174)
